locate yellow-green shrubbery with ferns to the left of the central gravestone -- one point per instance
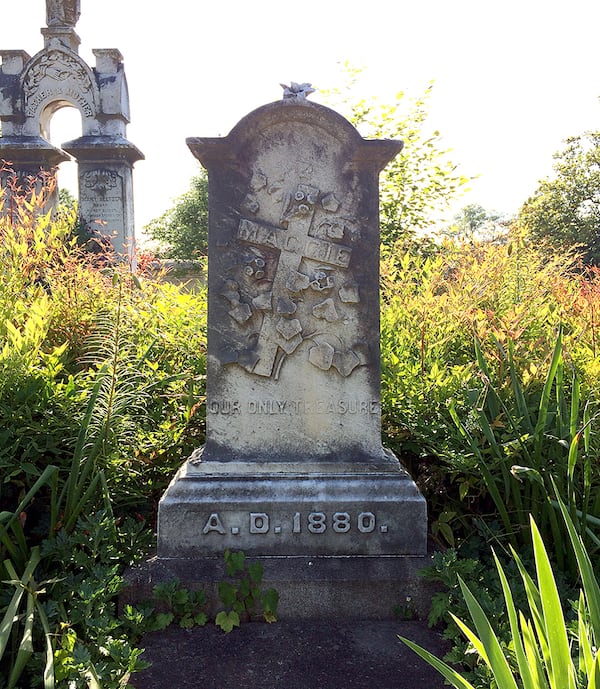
(101, 379)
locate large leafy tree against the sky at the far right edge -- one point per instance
(565, 210)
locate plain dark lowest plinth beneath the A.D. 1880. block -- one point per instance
(350, 587)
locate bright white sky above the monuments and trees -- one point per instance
(512, 79)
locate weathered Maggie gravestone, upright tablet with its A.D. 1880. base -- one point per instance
(293, 463)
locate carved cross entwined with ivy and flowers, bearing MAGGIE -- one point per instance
(295, 283)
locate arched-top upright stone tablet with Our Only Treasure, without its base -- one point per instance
(294, 188)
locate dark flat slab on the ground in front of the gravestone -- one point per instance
(294, 654)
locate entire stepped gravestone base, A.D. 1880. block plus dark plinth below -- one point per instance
(334, 539)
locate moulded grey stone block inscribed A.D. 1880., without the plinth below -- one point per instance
(292, 508)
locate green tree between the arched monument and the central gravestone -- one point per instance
(182, 231)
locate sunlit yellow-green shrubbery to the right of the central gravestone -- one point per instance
(472, 362)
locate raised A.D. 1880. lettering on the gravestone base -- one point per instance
(312, 522)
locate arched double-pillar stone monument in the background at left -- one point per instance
(32, 89)
